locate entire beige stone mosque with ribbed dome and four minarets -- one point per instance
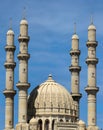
(49, 106)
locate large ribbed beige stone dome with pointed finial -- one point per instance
(51, 98)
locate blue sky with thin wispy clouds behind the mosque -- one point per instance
(51, 25)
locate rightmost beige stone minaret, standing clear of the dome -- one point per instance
(91, 88)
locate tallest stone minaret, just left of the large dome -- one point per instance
(23, 84)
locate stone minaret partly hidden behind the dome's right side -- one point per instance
(75, 69)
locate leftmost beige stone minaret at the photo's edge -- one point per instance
(9, 91)
